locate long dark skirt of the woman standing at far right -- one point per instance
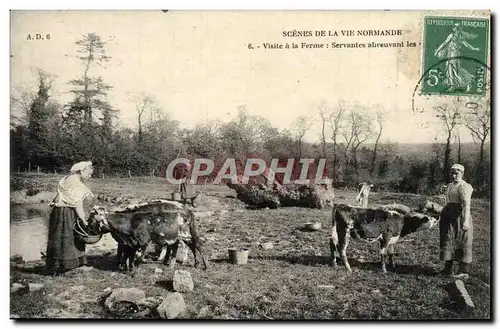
(455, 243)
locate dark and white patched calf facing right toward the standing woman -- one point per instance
(373, 224)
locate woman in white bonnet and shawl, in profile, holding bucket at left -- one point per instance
(63, 251)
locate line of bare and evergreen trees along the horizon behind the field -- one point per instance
(52, 136)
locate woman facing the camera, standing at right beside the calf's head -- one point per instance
(455, 227)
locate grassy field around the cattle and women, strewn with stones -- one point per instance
(293, 280)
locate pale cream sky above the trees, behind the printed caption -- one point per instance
(198, 67)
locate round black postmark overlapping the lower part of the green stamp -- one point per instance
(460, 86)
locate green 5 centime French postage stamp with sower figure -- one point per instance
(455, 55)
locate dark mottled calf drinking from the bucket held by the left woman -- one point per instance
(163, 222)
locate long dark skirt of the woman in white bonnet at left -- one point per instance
(63, 251)
